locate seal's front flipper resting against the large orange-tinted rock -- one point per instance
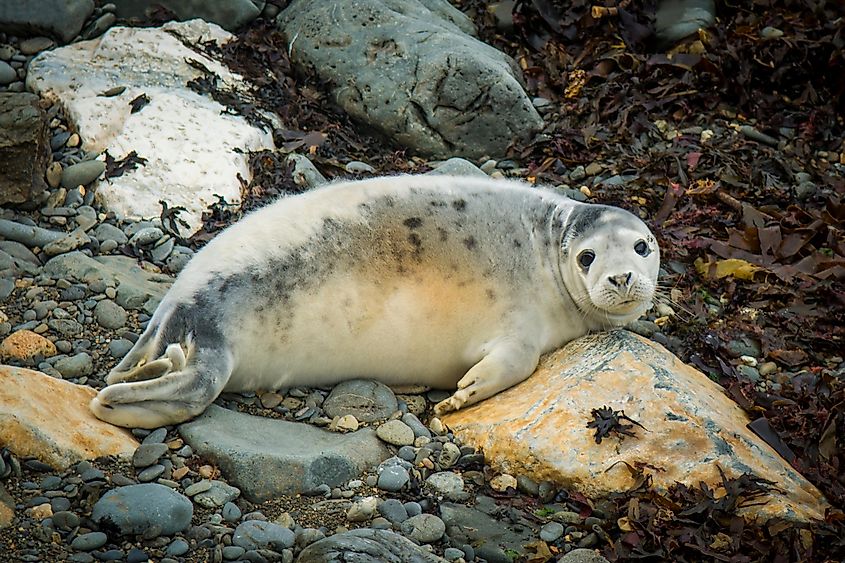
(506, 365)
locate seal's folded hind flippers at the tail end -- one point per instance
(169, 399)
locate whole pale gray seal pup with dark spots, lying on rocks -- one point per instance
(437, 281)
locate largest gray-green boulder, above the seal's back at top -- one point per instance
(411, 70)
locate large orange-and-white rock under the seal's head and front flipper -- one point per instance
(539, 427)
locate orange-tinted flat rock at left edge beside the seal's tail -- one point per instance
(49, 419)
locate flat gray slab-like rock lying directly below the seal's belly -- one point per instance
(266, 458)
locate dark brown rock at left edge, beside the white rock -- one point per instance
(24, 148)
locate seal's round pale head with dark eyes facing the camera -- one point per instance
(609, 263)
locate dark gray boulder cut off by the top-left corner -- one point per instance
(62, 19)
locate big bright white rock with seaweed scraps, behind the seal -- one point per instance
(187, 139)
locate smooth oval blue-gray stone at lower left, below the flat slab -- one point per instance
(135, 509)
